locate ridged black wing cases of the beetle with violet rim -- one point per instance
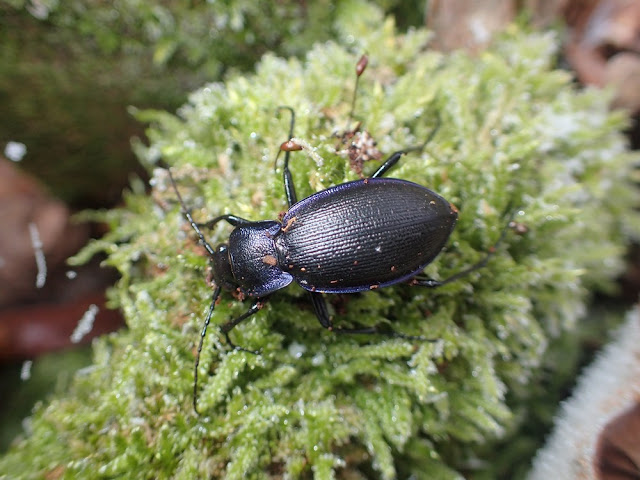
(363, 234)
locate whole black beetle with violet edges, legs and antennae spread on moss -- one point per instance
(356, 236)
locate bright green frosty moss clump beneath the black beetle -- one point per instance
(514, 135)
